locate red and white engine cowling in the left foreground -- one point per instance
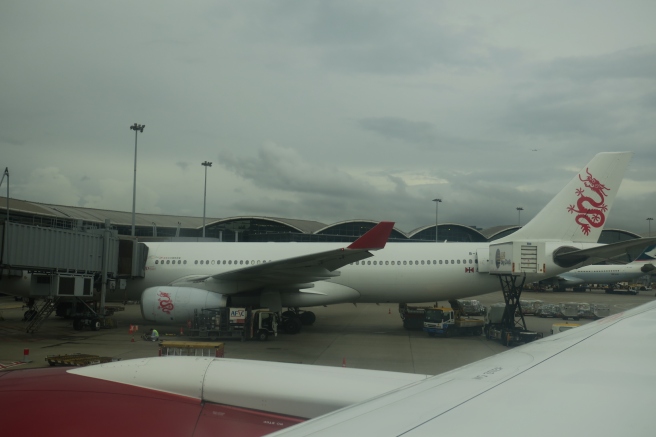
(182, 396)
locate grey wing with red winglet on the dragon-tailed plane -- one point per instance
(305, 269)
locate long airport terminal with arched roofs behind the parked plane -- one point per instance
(246, 228)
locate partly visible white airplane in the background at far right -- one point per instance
(609, 273)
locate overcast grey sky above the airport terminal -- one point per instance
(327, 110)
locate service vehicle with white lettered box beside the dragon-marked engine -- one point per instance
(234, 322)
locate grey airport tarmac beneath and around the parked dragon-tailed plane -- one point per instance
(367, 336)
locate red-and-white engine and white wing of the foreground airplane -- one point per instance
(597, 380)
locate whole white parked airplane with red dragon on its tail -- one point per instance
(183, 277)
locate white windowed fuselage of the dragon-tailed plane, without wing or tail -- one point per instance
(399, 273)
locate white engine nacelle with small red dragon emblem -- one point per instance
(177, 304)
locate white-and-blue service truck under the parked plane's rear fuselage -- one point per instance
(450, 321)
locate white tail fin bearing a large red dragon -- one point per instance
(578, 213)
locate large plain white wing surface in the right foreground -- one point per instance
(598, 379)
